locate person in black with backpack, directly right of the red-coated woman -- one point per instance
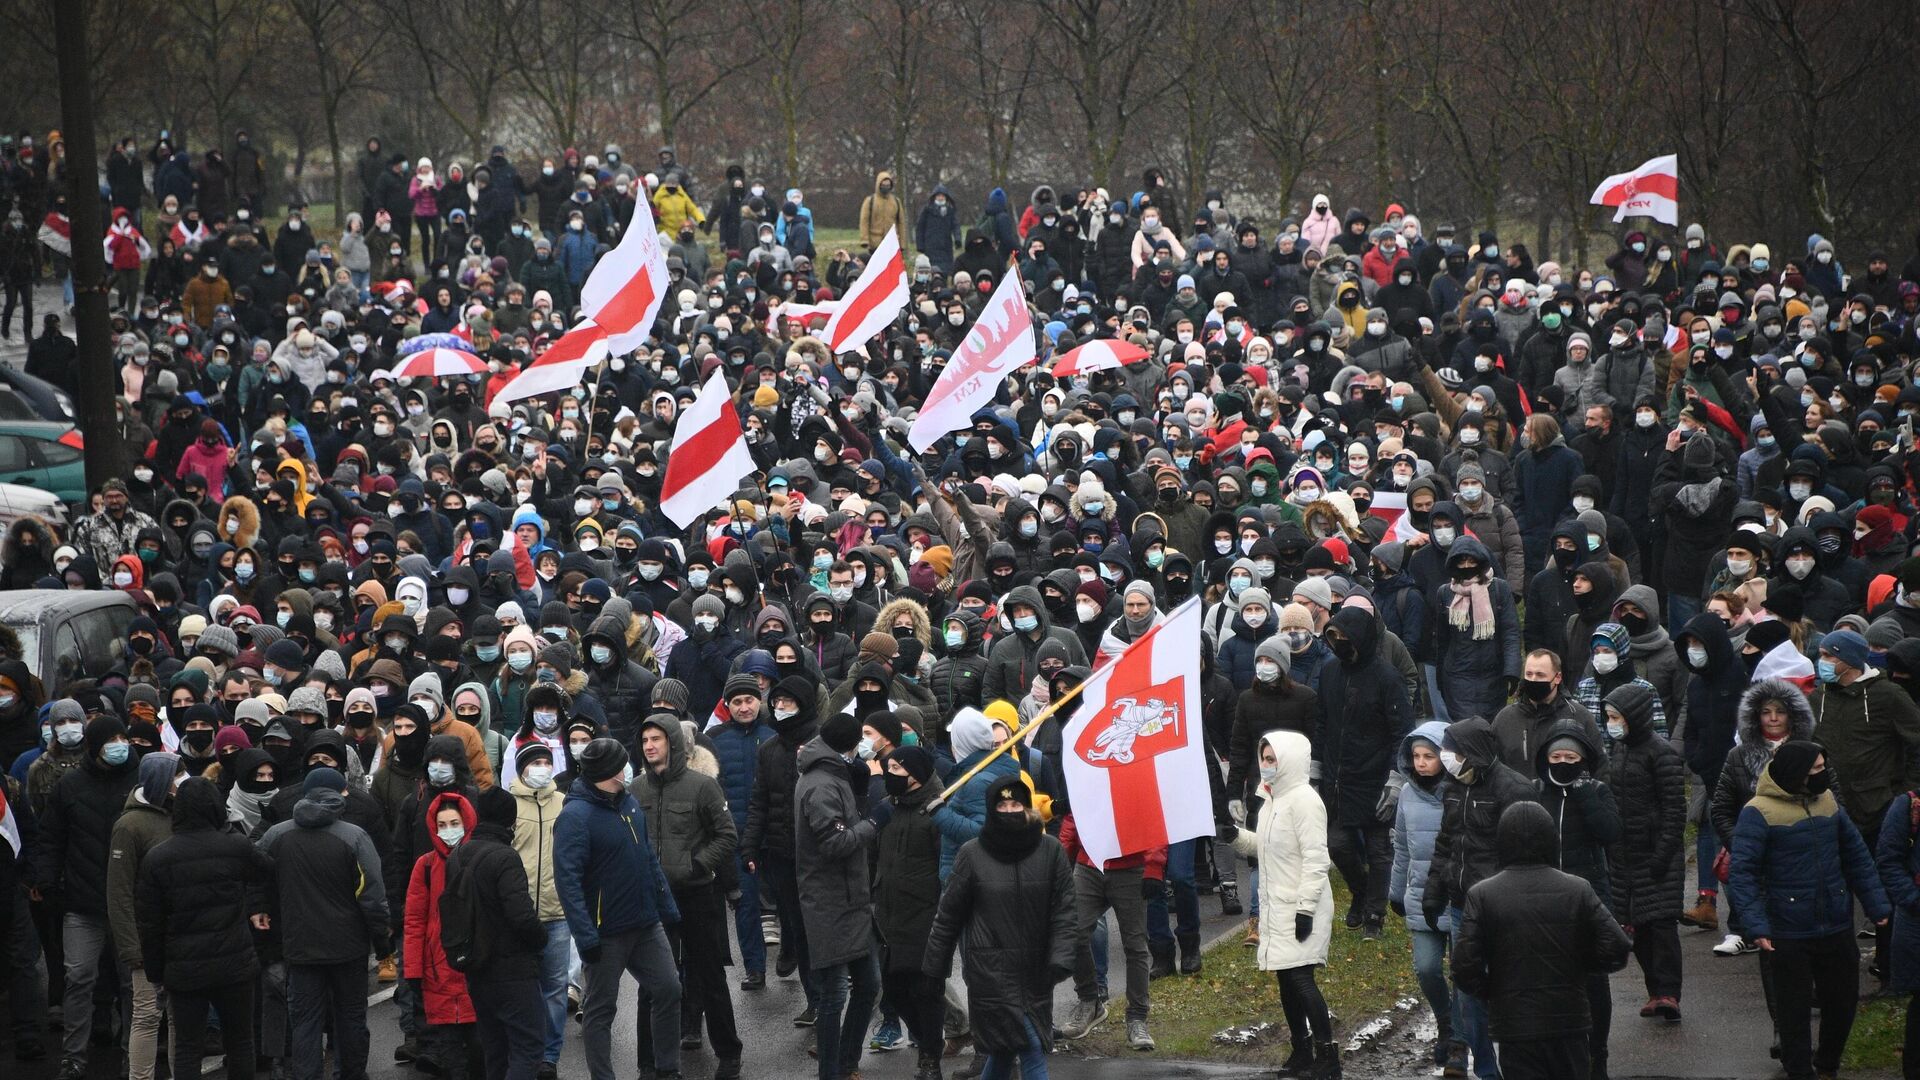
(508, 939)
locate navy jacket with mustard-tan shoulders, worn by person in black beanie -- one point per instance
(1798, 866)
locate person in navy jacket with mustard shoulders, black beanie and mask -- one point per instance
(1792, 843)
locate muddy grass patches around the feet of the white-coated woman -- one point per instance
(1362, 979)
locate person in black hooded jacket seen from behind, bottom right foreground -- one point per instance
(1529, 945)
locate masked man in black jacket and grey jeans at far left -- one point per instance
(72, 866)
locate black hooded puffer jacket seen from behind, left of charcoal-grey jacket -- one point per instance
(195, 896)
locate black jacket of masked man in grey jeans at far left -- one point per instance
(78, 831)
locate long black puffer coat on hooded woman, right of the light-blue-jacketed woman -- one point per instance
(1648, 779)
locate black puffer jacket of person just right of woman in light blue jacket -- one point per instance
(1468, 854)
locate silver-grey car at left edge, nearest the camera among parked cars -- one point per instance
(66, 635)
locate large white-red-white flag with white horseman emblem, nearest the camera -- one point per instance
(1136, 762)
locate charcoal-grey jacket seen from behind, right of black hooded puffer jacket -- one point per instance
(327, 896)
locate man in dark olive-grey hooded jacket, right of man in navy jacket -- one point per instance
(694, 837)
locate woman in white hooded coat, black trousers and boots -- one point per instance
(1295, 896)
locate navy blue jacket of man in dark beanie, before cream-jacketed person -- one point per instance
(606, 870)
